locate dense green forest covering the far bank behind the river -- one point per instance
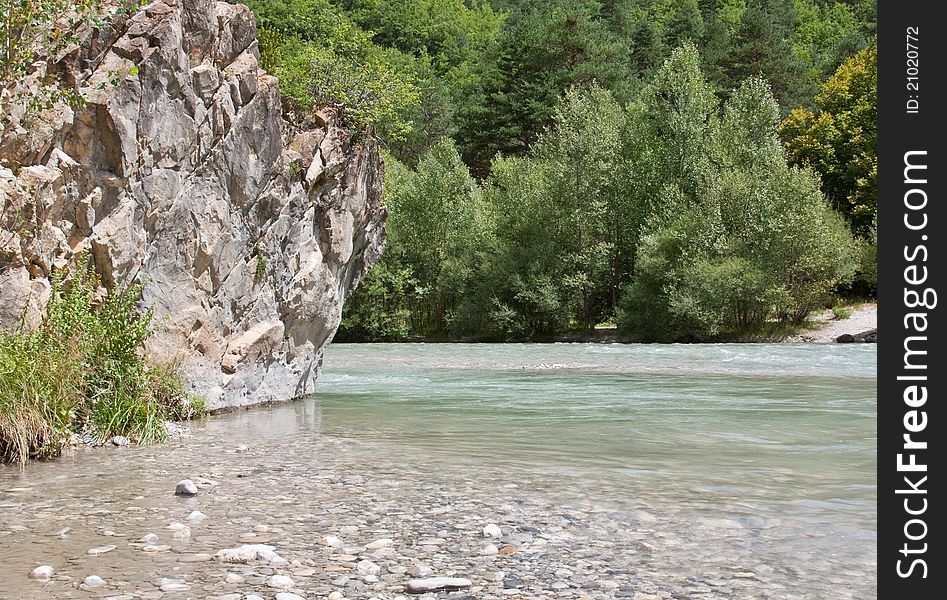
(685, 169)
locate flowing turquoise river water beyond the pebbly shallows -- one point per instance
(778, 439)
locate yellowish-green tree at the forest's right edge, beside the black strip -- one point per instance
(839, 141)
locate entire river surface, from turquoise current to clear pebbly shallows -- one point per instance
(680, 471)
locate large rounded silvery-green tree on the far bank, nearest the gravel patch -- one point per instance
(748, 240)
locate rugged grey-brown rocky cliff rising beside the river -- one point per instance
(246, 224)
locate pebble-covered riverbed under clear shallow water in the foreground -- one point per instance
(294, 502)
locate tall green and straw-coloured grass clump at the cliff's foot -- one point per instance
(83, 370)
